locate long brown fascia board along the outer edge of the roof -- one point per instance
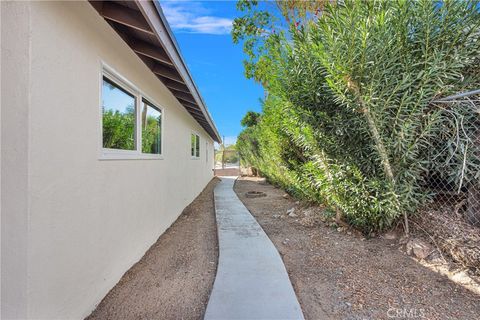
(153, 14)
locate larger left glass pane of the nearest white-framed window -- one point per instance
(118, 119)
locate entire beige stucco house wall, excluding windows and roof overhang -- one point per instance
(81, 222)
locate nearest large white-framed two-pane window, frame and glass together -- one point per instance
(131, 124)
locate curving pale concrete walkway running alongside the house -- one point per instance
(251, 281)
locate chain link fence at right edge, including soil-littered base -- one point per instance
(452, 219)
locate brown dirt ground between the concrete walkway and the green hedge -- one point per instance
(342, 275)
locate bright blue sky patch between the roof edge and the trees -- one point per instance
(202, 30)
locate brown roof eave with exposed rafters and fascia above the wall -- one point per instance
(143, 26)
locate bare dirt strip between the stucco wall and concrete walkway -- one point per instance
(175, 277)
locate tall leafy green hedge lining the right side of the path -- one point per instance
(348, 120)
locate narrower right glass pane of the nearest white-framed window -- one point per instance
(151, 129)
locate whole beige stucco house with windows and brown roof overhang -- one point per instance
(105, 139)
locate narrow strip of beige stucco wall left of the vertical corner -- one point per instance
(15, 75)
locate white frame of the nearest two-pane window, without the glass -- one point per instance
(120, 154)
